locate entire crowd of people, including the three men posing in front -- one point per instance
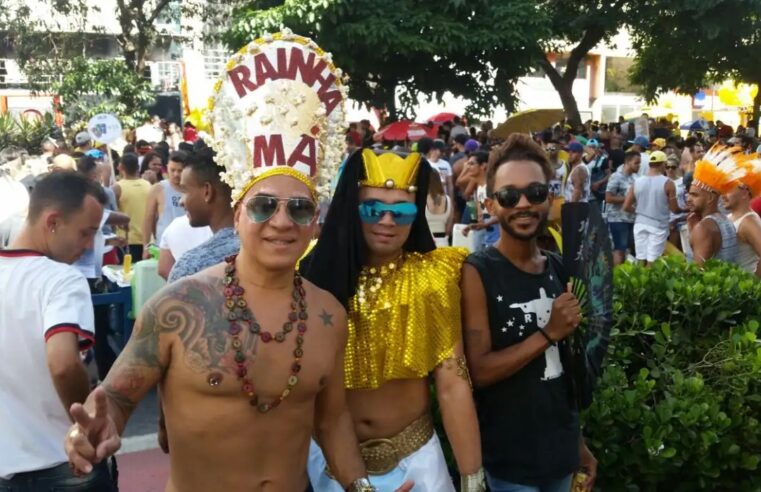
(296, 347)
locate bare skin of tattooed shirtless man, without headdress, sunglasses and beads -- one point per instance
(182, 341)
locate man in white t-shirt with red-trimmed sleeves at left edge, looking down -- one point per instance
(46, 319)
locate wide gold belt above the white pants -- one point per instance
(383, 455)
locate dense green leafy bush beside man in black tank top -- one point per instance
(678, 406)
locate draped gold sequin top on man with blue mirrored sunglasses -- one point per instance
(404, 319)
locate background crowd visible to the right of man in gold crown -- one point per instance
(641, 185)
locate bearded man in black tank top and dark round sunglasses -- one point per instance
(516, 317)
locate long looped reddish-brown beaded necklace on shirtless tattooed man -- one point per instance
(239, 314)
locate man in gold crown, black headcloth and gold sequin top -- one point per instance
(377, 256)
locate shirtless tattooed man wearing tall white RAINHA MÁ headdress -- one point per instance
(243, 392)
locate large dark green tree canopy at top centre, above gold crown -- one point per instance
(475, 49)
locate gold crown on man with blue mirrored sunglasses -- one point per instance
(390, 170)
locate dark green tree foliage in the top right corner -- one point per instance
(690, 44)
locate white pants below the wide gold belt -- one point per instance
(426, 467)
